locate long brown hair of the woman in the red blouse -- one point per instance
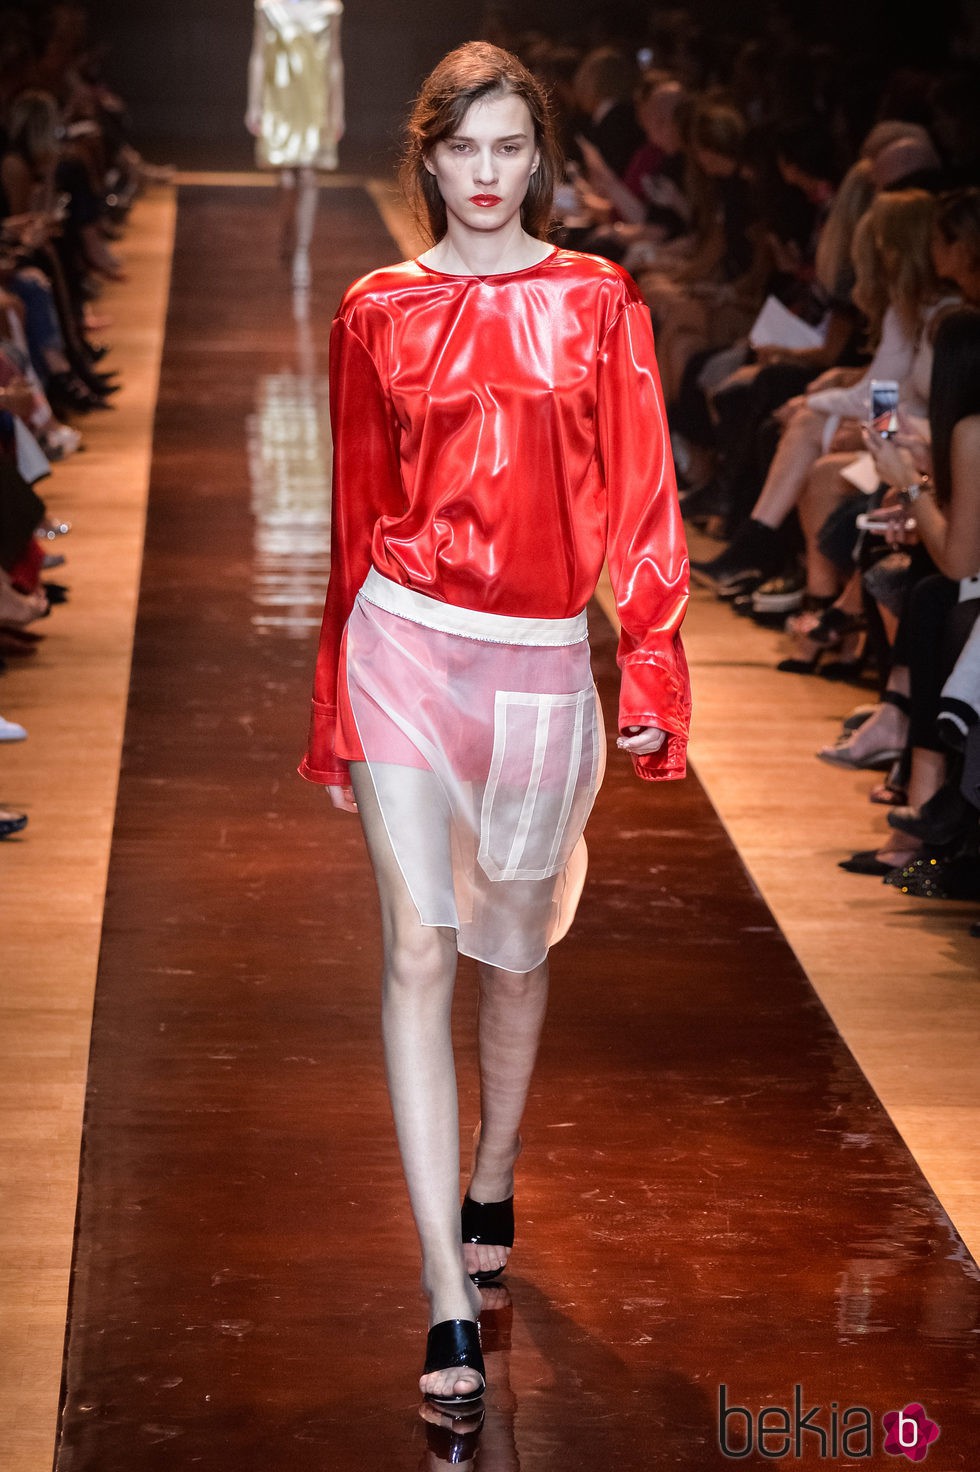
(472, 74)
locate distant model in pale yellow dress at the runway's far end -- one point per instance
(297, 110)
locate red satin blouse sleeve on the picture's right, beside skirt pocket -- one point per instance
(647, 548)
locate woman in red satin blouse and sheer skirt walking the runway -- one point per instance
(498, 432)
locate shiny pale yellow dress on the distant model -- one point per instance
(302, 83)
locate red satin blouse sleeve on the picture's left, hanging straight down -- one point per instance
(366, 488)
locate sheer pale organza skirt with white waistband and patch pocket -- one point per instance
(485, 744)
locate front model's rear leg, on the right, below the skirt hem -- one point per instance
(513, 1008)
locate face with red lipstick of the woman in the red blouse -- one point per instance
(483, 170)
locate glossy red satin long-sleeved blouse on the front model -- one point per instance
(495, 439)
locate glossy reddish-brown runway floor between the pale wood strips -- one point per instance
(711, 1195)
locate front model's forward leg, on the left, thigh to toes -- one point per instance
(420, 975)
